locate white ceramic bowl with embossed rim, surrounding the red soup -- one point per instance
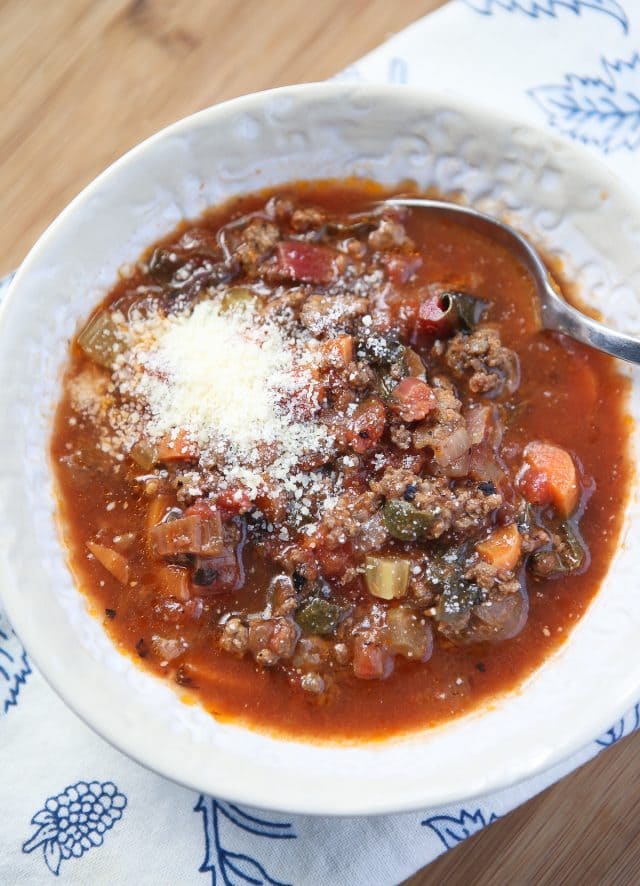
(555, 192)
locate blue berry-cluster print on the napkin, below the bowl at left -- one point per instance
(75, 821)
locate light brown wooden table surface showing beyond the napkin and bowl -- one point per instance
(80, 83)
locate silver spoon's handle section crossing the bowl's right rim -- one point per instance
(559, 315)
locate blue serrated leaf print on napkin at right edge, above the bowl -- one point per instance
(603, 111)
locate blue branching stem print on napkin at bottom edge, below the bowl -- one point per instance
(236, 868)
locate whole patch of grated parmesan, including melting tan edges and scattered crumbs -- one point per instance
(238, 386)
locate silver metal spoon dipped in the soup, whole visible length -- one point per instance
(556, 312)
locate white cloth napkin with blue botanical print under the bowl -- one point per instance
(73, 807)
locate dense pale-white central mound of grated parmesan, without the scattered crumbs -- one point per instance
(218, 375)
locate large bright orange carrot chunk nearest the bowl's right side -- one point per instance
(550, 477)
